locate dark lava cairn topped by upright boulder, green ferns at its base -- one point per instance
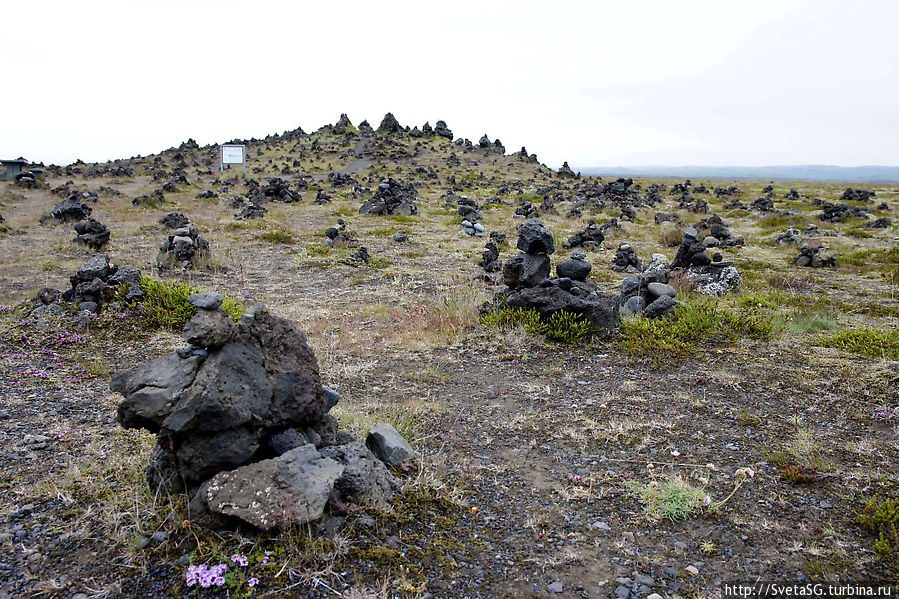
(526, 276)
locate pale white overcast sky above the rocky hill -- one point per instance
(594, 83)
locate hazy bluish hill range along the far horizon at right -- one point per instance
(810, 172)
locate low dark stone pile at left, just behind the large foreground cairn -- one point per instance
(91, 288)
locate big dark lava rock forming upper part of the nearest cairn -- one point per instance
(212, 408)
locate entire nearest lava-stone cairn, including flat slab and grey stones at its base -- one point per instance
(242, 423)
